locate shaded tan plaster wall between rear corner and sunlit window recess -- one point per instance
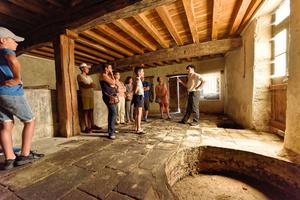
(239, 80)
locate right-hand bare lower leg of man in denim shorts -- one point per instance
(27, 135)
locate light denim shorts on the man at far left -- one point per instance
(11, 106)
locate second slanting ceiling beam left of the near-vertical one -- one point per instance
(167, 20)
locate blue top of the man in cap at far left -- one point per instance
(6, 74)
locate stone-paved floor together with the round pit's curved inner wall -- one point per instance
(146, 166)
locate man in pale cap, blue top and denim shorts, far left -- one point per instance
(13, 103)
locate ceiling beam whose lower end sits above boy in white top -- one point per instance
(118, 37)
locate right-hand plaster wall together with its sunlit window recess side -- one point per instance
(248, 73)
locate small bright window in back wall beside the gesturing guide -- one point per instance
(211, 89)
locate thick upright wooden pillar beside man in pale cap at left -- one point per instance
(67, 106)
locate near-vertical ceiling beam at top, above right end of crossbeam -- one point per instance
(217, 7)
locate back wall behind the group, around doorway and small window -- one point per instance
(206, 66)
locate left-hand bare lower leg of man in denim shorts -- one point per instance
(6, 140)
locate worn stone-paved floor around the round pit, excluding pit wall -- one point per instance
(94, 167)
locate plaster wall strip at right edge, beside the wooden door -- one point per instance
(292, 137)
